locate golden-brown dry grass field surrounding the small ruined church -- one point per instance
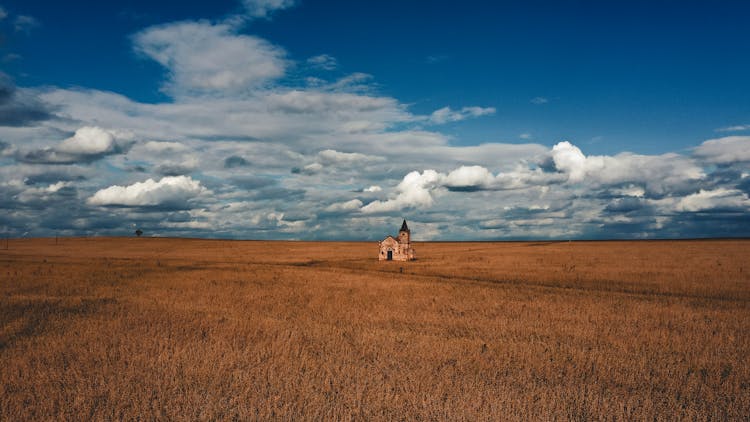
(173, 329)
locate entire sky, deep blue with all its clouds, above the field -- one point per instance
(324, 120)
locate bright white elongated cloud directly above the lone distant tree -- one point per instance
(174, 191)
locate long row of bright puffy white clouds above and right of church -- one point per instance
(623, 175)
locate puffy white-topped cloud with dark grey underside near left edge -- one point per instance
(87, 144)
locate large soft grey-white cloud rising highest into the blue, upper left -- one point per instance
(204, 58)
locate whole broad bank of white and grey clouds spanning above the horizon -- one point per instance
(256, 143)
